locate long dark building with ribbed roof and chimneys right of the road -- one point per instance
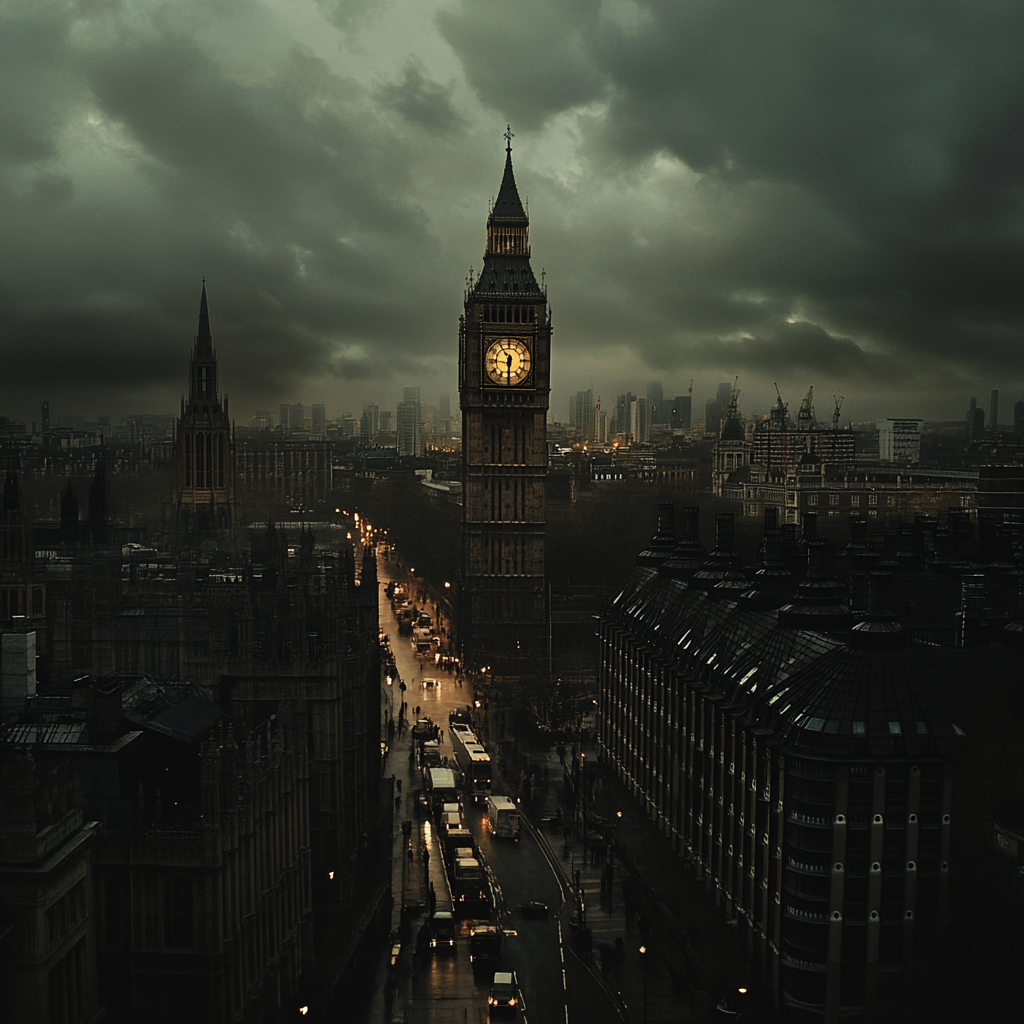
(801, 756)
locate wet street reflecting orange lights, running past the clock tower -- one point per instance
(558, 988)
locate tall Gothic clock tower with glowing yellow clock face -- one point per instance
(504, 389)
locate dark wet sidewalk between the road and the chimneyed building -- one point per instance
(636, 891)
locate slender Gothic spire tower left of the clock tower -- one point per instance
(204, 447)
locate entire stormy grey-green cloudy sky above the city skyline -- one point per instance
(813, 194)
